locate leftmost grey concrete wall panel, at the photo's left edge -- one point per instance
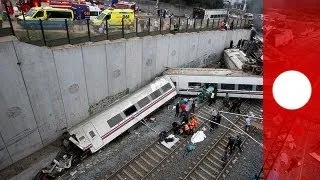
(16, 115)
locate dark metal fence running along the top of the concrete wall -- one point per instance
(55, 33)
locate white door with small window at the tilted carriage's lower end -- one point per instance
(93, 136)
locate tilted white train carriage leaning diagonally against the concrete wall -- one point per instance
(99, 130)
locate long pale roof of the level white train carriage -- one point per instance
(208, 72)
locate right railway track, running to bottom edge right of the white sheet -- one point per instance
(210, 165)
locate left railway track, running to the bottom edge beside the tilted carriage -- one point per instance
(153, 156)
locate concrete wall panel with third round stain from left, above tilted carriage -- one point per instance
(116, 66)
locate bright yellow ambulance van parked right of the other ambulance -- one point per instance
(114, 17)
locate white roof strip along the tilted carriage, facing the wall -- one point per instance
(125, 102)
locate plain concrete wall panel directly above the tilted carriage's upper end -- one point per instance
(162, 53)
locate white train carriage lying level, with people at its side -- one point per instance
(189, 81)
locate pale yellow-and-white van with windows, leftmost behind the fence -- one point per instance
(52, 18)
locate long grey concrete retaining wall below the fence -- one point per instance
(45, 91)
